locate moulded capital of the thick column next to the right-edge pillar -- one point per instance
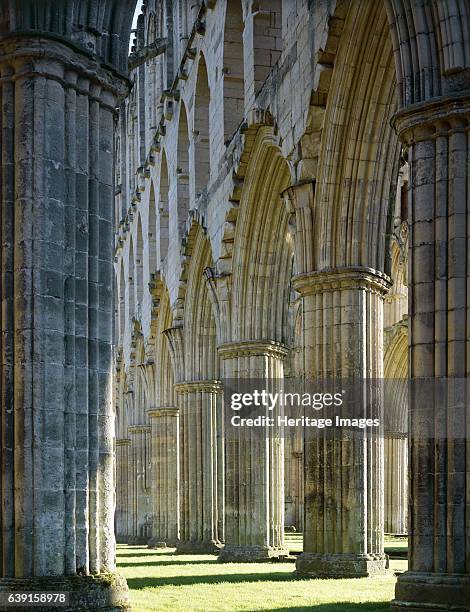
(335, 279)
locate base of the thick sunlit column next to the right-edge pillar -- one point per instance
(318, 565)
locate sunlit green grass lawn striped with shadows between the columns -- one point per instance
(162, 580)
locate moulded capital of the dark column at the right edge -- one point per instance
(433, 118)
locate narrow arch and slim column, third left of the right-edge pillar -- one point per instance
(200, 401)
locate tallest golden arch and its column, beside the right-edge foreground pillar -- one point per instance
(343, 292)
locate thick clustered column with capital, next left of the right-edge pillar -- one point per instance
(343, 335)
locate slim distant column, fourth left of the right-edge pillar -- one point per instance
(166, 475)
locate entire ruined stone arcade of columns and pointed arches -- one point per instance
(290, 198)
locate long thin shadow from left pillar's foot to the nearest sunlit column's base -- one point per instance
(148, 582)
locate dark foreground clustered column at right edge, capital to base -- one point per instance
(437, 137)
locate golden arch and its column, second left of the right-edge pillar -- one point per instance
(255, 347)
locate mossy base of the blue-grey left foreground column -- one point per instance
(101, 592)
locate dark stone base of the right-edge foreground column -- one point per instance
(419, 591)
